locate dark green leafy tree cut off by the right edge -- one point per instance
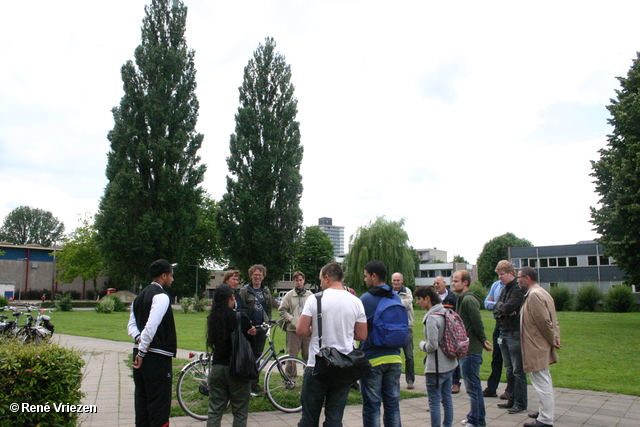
(617, 178)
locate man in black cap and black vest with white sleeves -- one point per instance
(153, 330)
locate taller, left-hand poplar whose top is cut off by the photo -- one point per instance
(149, 209)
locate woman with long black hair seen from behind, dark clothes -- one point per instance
(223, 388)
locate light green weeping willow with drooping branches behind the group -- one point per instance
(385, 241)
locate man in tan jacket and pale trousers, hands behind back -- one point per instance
(540, 337)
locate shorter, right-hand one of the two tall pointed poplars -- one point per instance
(260, 214)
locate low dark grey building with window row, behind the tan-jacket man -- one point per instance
(572, 266)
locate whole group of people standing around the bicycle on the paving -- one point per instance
(526, 333)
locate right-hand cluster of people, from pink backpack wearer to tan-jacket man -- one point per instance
(525, 340)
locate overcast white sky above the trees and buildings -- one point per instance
(467, 119)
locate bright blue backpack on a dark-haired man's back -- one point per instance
(390, 323)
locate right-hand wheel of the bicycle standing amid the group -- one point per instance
(283, 383)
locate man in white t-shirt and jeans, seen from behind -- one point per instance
(343, 320)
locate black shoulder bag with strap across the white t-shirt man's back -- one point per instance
(335, 367)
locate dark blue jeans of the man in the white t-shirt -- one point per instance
(314, 394)
